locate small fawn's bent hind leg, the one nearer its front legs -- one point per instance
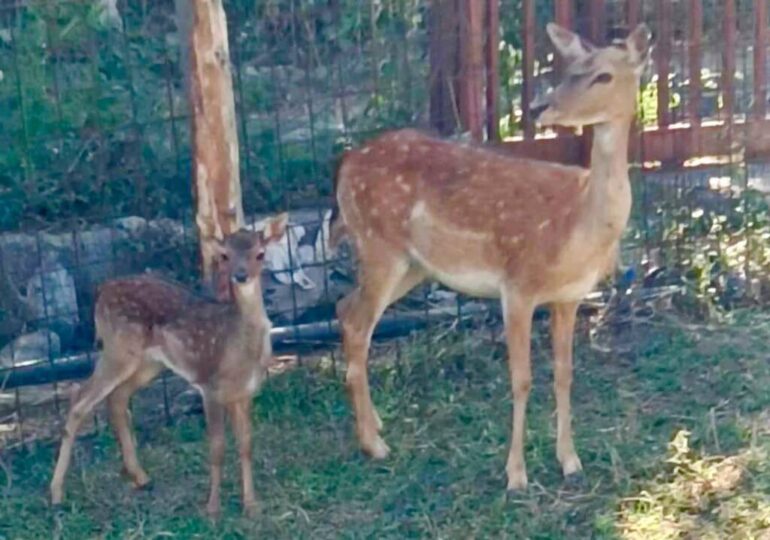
(120, 418)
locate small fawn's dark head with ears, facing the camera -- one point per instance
(241, 256)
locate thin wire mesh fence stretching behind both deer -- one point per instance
(95, 155)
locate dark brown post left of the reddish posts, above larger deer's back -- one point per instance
(443, 52)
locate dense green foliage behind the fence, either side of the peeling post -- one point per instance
(97, 124)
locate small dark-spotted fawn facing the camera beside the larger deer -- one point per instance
(223, 349)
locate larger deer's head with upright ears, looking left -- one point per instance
(600, 83)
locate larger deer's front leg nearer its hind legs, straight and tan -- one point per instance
(518, 324)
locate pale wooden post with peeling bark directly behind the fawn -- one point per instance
(217, 186)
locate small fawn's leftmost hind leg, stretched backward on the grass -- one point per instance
(108, 374)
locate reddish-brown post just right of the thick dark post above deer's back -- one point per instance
(472, 66)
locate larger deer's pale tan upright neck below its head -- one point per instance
(610, 199)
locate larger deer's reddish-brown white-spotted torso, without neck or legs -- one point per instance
(470, 215)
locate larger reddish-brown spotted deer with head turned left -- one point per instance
(491, 225)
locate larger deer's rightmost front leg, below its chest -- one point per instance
(562, 334)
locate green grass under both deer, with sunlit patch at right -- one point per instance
(674, 440)
